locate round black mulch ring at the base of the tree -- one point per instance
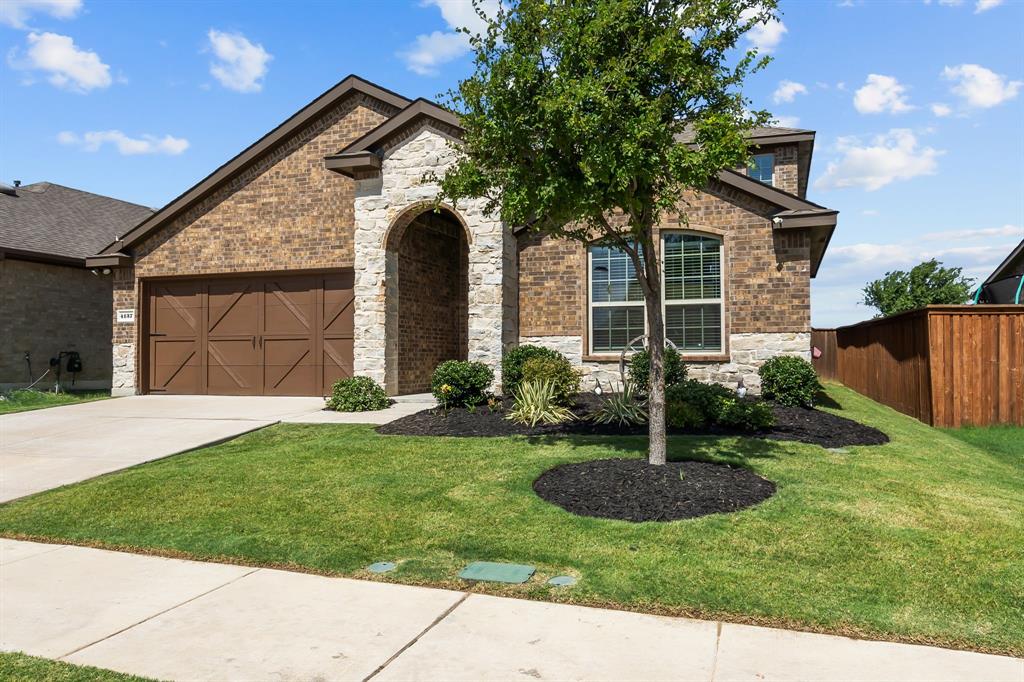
(635, 491)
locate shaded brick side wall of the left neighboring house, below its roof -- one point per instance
(48, 309)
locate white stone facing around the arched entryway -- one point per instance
(385, 201)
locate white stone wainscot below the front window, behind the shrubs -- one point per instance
(749, 353)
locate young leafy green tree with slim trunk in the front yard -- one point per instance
(588, 120)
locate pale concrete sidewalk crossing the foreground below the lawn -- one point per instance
(187, 621)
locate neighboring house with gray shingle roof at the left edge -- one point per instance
(50, 302)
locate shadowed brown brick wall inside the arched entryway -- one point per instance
(432, 300)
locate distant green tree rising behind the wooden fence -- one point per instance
(925, 284)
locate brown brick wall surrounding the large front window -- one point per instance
(767, 275)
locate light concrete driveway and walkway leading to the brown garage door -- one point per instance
(45, 449)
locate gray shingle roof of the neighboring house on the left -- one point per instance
(53, 223)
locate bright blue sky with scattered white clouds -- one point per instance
(919, 106)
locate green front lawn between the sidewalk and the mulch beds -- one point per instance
(919, 540)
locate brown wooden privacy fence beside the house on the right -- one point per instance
(945, 365)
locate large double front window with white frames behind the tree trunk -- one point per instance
(692, 295)
